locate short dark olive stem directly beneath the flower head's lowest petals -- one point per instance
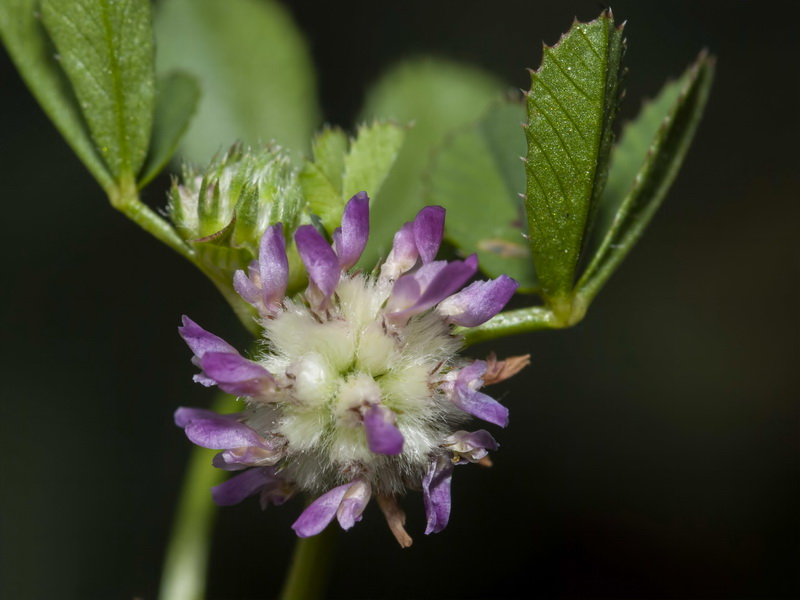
(310, 566)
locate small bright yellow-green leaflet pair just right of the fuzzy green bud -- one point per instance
(341, 168)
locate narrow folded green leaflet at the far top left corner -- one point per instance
(29, 47)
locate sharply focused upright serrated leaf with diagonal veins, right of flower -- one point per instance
(571, 106)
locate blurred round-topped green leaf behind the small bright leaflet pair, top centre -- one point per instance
(437, 97)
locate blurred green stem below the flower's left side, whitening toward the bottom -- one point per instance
(186, 561)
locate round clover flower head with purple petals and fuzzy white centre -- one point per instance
(359, 391)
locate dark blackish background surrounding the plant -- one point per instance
(653, 449)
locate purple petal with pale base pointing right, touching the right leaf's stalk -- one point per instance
(479, 301)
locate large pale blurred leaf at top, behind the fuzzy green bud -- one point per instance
(254, 67)
